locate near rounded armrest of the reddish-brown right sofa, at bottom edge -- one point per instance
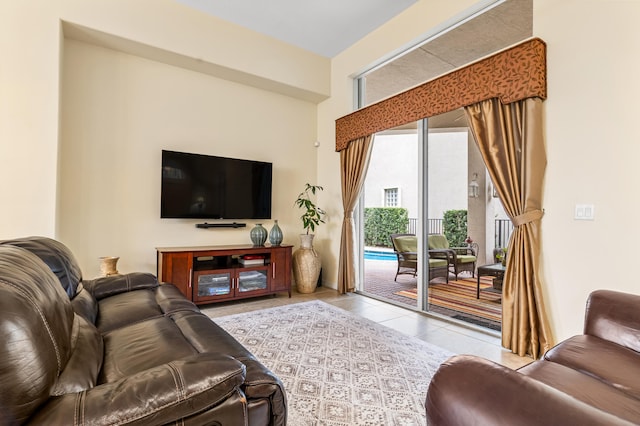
(470, 390)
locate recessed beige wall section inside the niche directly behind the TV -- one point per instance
(119, 111)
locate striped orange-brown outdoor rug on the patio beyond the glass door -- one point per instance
(460, 295)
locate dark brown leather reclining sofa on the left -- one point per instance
(117, 350)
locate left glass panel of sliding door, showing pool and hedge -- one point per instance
(390, 212)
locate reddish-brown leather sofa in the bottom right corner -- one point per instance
(590, 379)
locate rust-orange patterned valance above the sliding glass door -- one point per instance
(513, 74)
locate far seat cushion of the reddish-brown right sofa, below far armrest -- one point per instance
(608, 362)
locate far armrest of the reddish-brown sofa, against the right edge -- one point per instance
(614, 316)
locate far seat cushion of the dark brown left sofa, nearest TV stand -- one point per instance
(139, 305)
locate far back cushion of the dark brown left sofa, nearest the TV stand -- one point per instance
(57, 257)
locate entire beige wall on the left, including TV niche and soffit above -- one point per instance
(81, 158)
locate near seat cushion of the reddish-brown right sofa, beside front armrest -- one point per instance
(585, 388)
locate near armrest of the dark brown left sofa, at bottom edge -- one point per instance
(161, 395)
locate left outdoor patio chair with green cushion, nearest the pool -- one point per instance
(405, 247)
